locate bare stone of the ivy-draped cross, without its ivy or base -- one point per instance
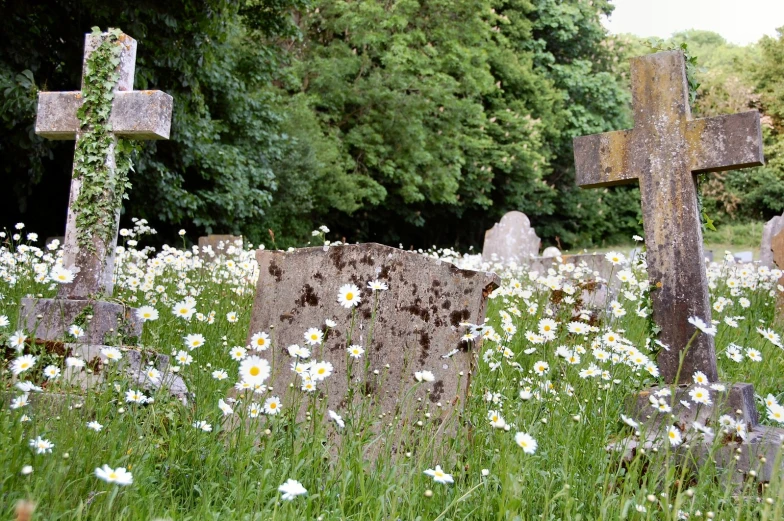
(142, 114)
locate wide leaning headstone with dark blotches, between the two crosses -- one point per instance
(417, 321)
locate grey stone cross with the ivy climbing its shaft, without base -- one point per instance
(106, 108)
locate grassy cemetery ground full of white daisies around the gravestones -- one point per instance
(545, 401)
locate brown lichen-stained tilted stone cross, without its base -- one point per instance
(663, 152)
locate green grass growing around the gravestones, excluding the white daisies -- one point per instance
(374, 467)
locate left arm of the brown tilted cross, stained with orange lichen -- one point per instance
(604, 159)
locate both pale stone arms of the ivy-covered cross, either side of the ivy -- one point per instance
(137, 114)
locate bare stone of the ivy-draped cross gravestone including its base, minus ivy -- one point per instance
(134, 115)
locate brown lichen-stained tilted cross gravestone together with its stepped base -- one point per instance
(663, 152)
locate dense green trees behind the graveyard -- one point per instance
(401, 122)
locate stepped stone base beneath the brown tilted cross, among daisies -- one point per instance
(757, 455)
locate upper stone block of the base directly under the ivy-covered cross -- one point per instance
(49, 319)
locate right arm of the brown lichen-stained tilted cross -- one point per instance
(725, 142)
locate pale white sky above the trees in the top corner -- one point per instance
(738, 21)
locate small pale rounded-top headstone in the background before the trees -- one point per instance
(511, 240)
